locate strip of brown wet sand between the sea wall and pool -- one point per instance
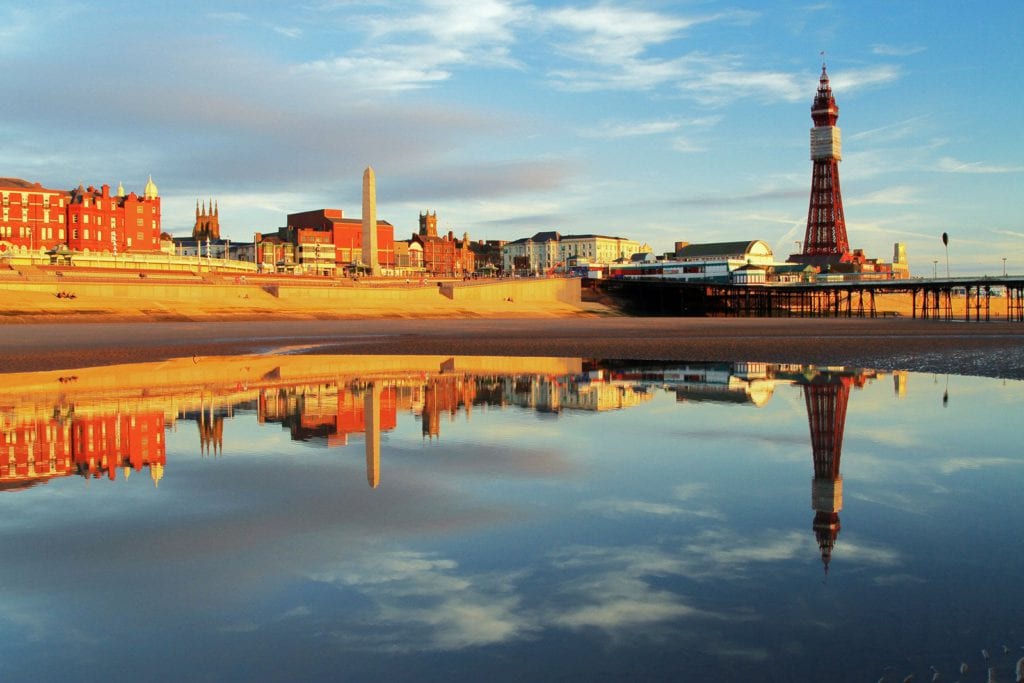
(994, 350)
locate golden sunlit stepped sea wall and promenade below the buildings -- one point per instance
(49, 294)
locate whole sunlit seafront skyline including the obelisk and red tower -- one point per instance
(62, 227)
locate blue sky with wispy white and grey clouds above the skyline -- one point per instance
(654, 121)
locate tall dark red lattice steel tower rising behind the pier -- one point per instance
(826, 225)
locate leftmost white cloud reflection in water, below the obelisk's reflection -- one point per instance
(426, 605)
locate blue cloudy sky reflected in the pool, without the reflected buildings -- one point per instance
(668, 541)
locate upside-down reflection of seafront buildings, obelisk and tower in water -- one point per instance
(95, 436)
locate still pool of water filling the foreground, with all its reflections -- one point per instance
(428, 519)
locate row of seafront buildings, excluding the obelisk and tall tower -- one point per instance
(42, 226)
